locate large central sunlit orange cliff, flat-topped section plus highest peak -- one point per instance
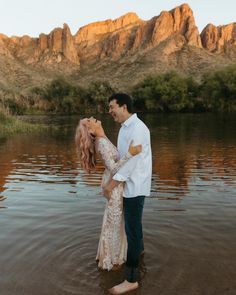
(128, 34)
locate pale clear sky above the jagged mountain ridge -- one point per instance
(32, 17)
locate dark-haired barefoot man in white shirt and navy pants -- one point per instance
(136, 174)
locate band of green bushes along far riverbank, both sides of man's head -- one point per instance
(169, 92)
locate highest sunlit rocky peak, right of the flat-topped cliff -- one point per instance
(176, 28)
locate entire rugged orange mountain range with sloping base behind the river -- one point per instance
(122, 51)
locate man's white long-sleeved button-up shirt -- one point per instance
(137, 171)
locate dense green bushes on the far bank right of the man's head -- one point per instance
(170, 92)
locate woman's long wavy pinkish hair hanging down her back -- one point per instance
(85, 145)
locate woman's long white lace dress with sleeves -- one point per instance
(112, 247)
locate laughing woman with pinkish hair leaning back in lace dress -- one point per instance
(91, 141)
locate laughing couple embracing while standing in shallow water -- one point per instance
(126, 181)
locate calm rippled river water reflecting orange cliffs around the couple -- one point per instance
(51, 217)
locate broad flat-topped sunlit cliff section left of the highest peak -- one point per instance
(109, 39)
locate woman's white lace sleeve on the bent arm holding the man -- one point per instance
(107, 157)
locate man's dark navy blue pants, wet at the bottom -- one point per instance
(133, 212)
